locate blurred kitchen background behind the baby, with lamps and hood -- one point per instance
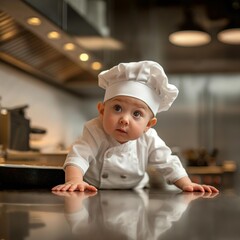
(51, 52)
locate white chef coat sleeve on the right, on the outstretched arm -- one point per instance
(161, 158)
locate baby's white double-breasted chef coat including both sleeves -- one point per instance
(107, 164)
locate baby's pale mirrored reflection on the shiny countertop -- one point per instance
(123, 214)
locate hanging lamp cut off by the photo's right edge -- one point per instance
(230, 34)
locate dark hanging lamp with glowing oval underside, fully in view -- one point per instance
(190, 33)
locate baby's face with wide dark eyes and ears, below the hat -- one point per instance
(126, 118)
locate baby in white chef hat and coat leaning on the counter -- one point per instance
(116, 148)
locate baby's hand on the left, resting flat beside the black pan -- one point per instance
(74, 185)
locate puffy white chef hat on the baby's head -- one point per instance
(145, 80)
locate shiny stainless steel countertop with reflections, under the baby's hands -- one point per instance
(118, 214)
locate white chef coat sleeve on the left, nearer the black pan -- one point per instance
(83, 151)
